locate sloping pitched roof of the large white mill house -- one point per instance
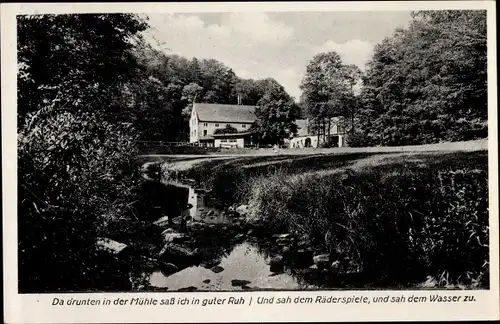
(225, 113)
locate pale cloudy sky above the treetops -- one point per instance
(259, 45)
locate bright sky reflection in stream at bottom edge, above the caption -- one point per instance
(245, 262)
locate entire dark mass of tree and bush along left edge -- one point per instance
(75, 147)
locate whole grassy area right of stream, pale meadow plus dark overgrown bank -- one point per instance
(398, 218)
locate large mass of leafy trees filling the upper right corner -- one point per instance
(427, 83)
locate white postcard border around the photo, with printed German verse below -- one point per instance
(37, 308)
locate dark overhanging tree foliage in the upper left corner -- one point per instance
(74, 56)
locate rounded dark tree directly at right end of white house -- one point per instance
(275, 114)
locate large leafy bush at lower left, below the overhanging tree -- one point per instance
(75, 177)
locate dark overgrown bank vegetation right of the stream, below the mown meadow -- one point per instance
(397, 225)
